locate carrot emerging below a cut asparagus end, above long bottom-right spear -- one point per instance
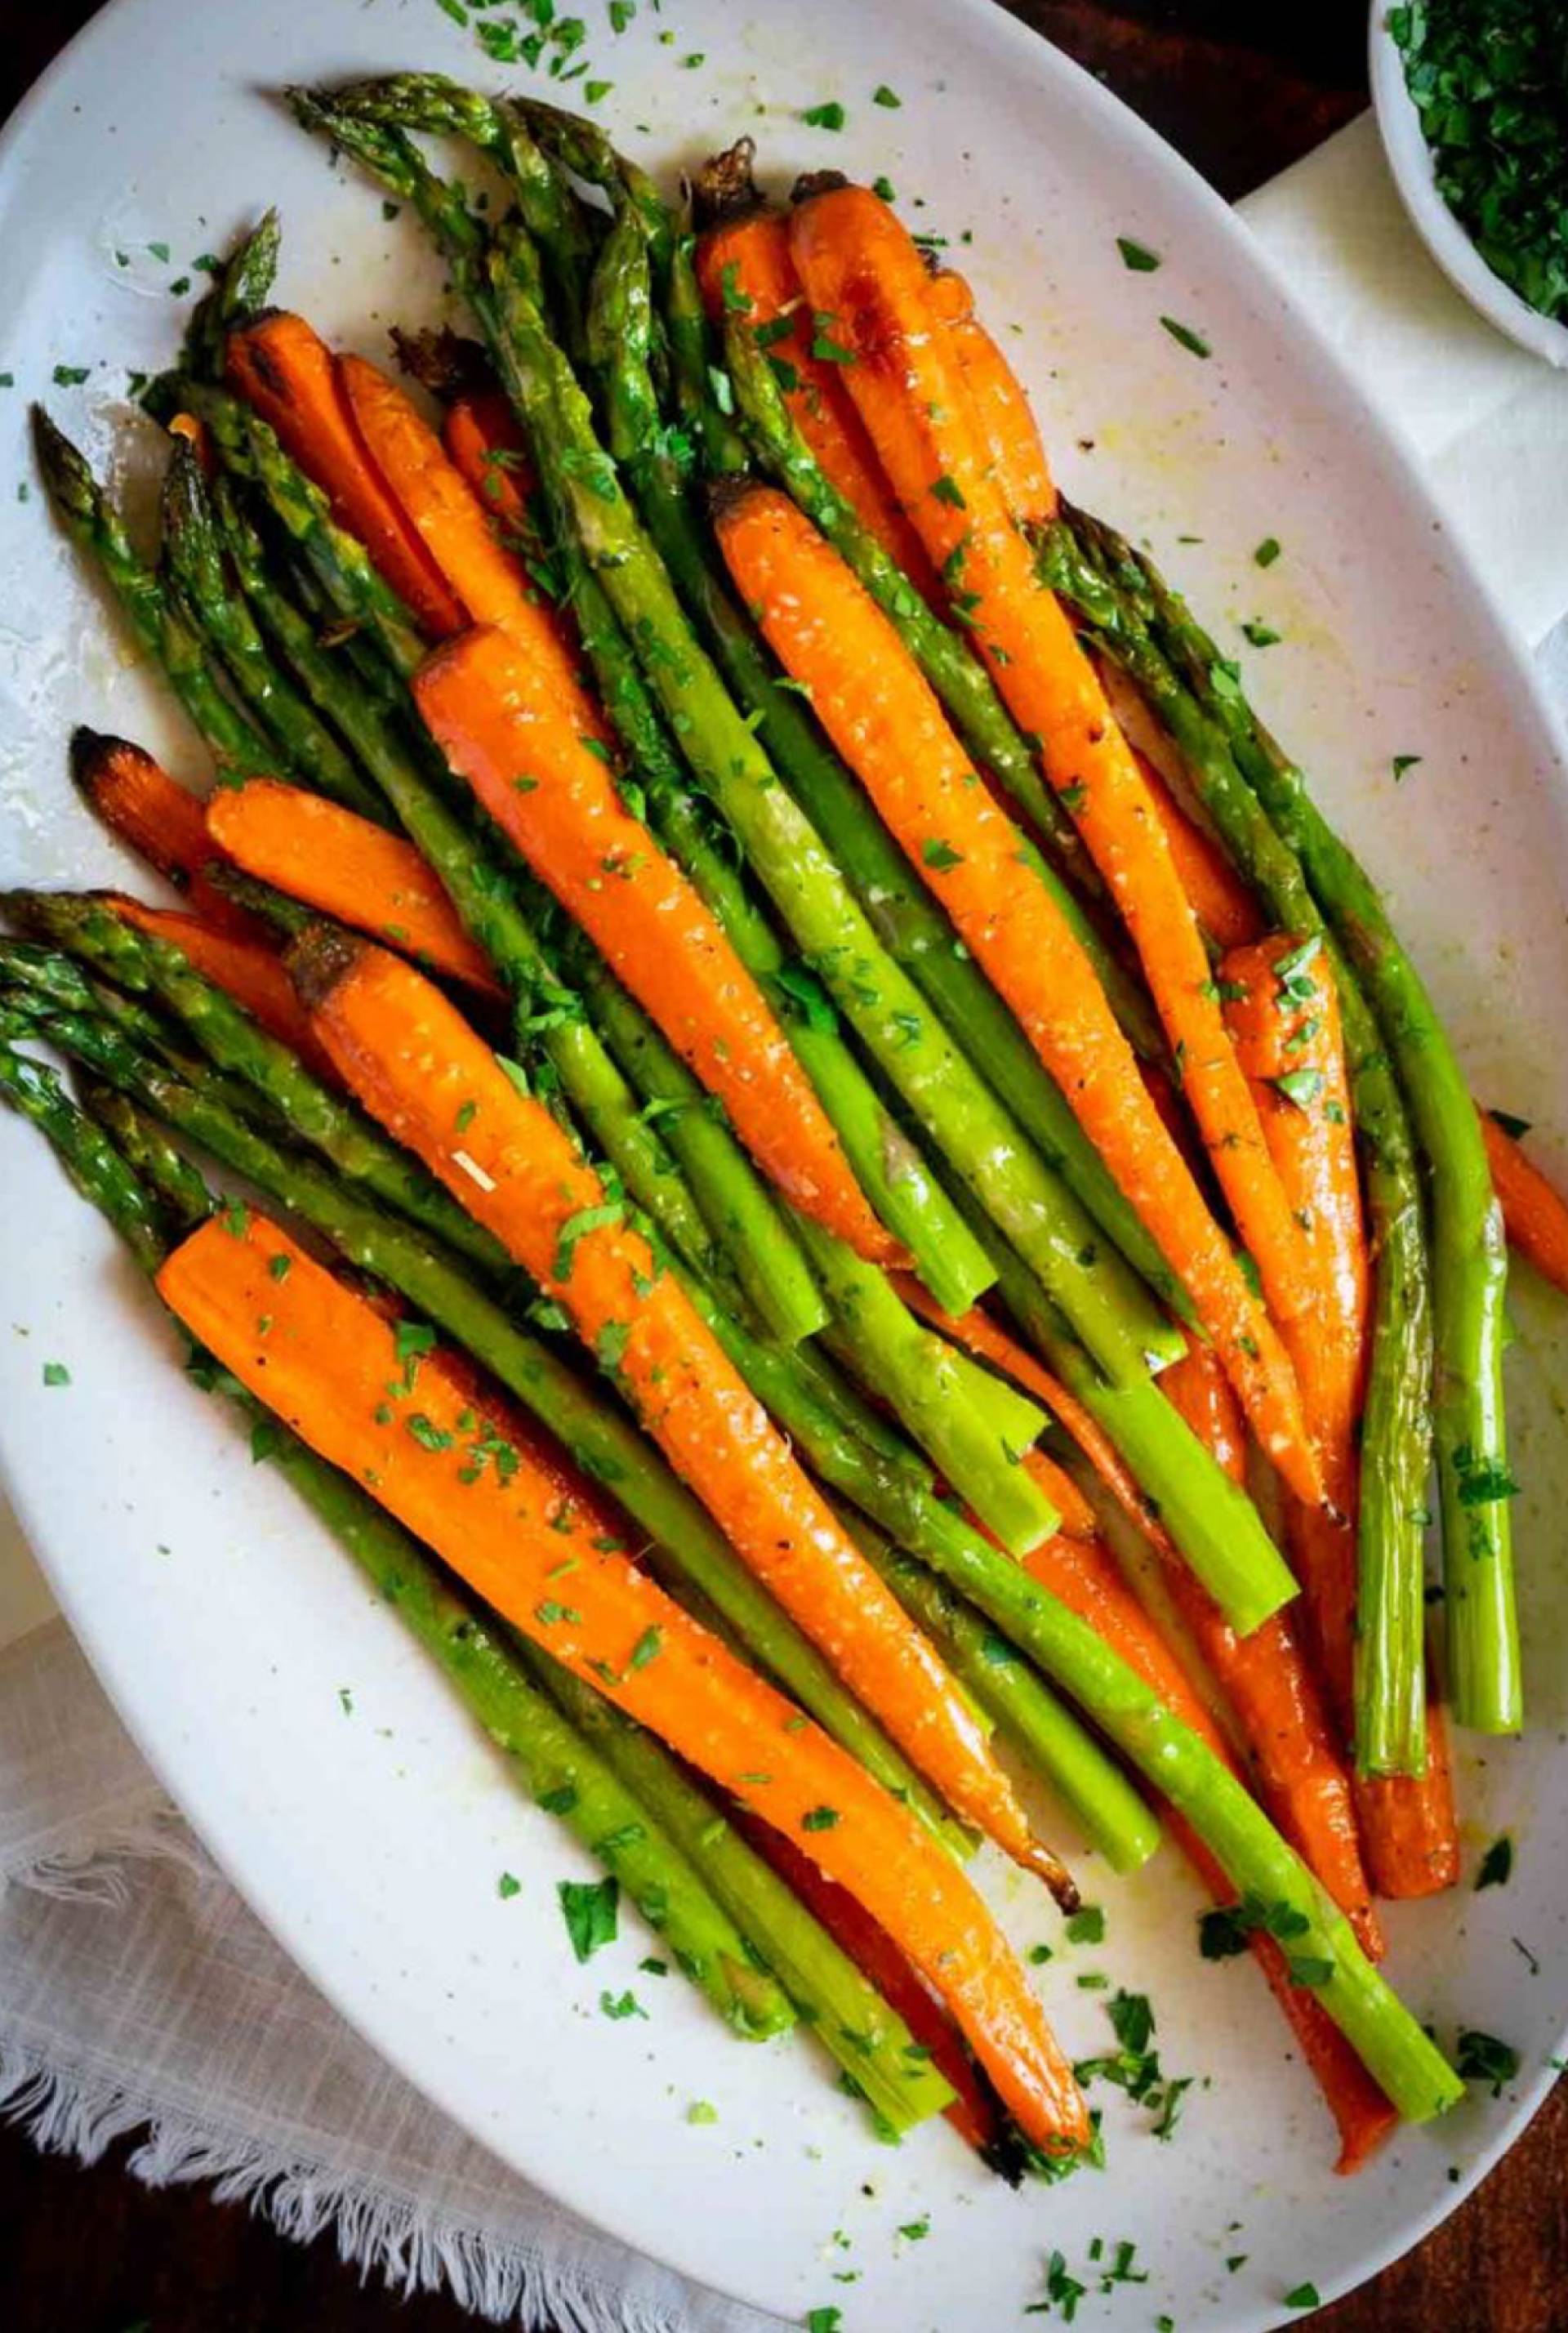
(1268, 1686)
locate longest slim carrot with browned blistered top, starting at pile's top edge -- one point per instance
(862, 267)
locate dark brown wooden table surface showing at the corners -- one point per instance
(1240, 92)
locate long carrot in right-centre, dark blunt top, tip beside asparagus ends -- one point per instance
(888, 724)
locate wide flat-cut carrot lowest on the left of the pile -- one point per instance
(323, 1359)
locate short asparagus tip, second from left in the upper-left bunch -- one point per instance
(218, 612)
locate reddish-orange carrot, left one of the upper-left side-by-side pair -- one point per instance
(286, 372)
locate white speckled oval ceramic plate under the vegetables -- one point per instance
(225, 1623)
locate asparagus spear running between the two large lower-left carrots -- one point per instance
(601, 1441)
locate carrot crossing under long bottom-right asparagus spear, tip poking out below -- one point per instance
(1091, 1581)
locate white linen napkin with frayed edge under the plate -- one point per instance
(139, 1994)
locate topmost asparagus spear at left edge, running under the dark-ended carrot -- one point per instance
(148, 967)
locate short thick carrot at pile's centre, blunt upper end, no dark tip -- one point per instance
(505, 731)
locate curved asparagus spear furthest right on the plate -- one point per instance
(1469, 1245)
